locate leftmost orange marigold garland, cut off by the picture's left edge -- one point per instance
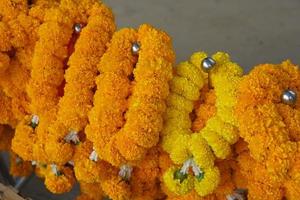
(22, 36)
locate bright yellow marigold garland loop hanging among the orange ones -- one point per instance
(220, 130)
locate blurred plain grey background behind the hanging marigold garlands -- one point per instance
(252, 32)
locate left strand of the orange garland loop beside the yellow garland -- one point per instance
(115, 87)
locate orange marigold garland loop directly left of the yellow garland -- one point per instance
(119, 139)
